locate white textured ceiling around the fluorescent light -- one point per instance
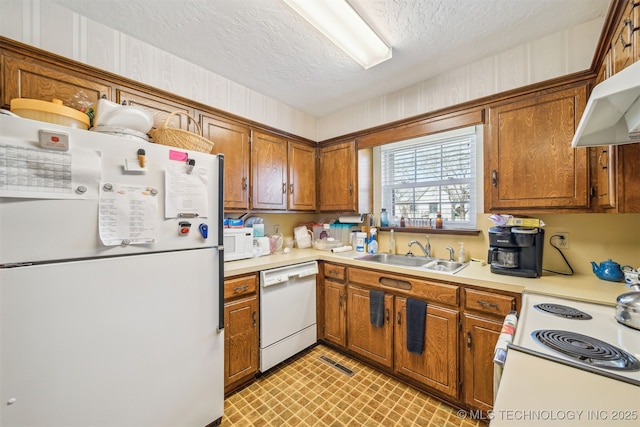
(264, 45)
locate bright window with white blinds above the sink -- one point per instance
(426, 175)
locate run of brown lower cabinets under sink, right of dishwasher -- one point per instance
(460, 335)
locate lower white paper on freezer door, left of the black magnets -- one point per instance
(128, 214)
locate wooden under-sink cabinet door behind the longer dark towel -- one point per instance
(437, 366)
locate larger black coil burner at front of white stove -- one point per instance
(586, 349)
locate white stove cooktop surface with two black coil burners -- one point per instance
(579, 334)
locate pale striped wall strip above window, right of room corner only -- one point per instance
(556, 55)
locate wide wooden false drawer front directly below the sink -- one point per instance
(406, 285)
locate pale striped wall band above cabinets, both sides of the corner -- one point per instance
(48, 26)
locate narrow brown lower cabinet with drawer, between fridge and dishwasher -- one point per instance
(241, 331)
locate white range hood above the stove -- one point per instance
(612, 115)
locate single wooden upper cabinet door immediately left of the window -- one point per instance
(337, 178)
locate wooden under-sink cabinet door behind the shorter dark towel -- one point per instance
(363, 338)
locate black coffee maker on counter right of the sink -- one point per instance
(516, 251)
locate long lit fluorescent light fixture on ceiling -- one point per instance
(337, 20)
